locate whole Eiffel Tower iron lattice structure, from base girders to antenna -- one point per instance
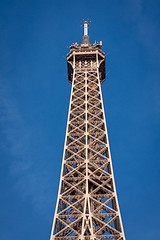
(87, 205)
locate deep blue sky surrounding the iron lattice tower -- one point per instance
(34, 100)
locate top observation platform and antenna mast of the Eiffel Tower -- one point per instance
(86, 57)
